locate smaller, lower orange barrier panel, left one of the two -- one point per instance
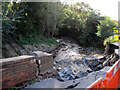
(96, 84)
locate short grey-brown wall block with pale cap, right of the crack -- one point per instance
(44, 60)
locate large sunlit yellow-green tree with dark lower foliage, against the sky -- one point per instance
(82, 19)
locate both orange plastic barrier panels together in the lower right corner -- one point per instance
(112, 79)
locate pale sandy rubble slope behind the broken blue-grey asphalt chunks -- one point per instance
(73, 51)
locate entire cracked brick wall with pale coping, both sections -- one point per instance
(22, 68)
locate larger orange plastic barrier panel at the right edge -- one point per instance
(112, 79)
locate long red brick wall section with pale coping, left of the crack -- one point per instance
(17, 69)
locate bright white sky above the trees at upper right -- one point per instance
(106, 7)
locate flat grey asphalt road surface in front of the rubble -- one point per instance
(83, 82)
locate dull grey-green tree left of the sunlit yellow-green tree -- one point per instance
(49, 20)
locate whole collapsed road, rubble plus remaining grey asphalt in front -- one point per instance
(78, 70)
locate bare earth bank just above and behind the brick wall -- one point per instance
(11, 50)
